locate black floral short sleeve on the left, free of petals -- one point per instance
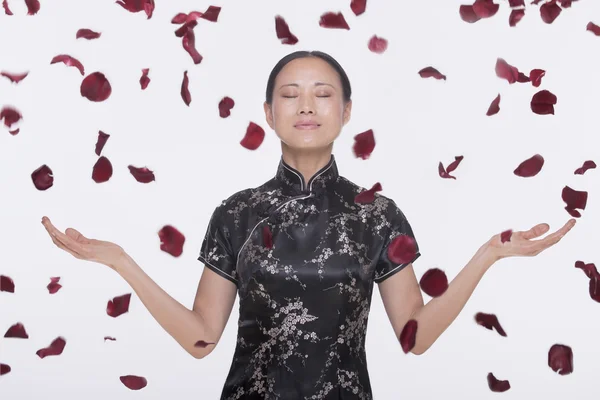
(216, 251)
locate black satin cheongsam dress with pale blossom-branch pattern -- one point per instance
(304, 302)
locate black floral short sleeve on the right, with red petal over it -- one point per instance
(399, 225)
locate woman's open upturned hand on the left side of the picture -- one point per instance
(83, 248)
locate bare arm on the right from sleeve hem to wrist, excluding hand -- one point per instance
(403, 300)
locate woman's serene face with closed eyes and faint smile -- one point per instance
(308, 110)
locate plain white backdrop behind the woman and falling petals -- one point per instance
(197, 160)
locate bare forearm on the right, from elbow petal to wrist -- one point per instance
(434, 317)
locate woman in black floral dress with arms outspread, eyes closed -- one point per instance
(303, 256)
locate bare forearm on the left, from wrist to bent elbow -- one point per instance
(184, 325)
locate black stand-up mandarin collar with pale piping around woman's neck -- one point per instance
(291, 179)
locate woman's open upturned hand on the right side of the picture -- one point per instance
(520, 243)
